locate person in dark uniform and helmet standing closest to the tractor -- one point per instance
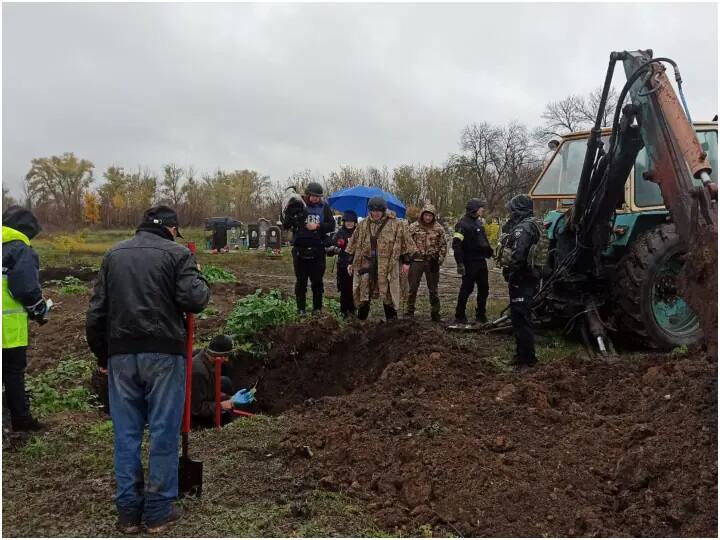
(521, 233)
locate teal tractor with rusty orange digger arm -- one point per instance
(625, 205)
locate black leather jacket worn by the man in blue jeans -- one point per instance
(144, 287)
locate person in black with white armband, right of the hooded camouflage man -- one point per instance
(471, 248)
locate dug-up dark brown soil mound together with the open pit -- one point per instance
(428, 433)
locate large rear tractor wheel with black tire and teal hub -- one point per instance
(648, 308)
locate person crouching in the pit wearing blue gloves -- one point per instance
(203, 384)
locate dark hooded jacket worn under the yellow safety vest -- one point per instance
(20, 262)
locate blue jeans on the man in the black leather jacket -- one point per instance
(146, 388)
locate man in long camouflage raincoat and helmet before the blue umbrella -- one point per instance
(381, 248)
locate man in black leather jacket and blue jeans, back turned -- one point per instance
(136, 329)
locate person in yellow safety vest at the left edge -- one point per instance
(22, 300)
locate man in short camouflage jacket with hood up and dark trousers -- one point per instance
(431, 243)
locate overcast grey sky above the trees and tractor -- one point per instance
(280, 88)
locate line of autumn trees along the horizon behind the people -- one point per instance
(493, 162)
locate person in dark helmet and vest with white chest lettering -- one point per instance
(309, 246)
